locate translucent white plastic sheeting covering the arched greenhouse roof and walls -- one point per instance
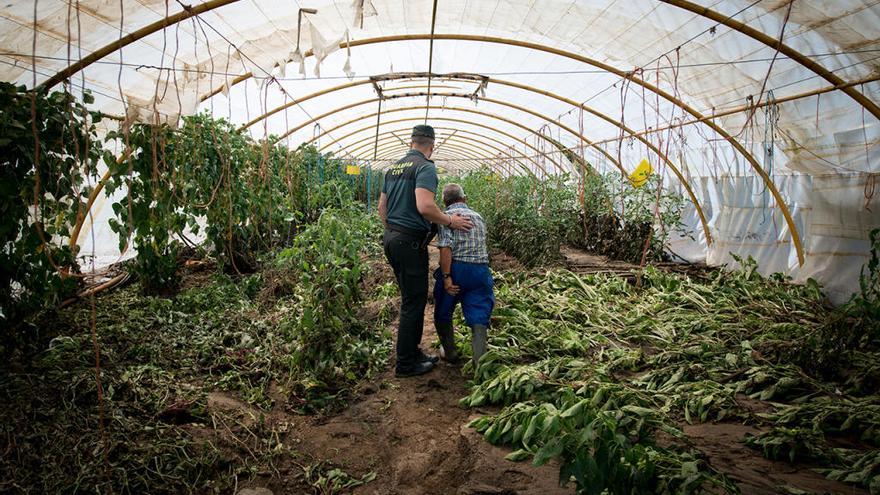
(528, 71)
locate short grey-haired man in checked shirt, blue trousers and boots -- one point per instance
(464, 277)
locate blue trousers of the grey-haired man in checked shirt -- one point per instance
(475, 294)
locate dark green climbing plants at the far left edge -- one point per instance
(48, 150)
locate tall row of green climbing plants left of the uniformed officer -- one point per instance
(247, 197)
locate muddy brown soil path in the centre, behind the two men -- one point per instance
(413, 435)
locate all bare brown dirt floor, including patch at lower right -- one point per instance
(412, 434)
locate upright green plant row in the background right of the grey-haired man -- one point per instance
(530, 218)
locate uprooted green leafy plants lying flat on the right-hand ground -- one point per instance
(603, 374)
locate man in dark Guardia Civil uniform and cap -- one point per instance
(408, 210)
